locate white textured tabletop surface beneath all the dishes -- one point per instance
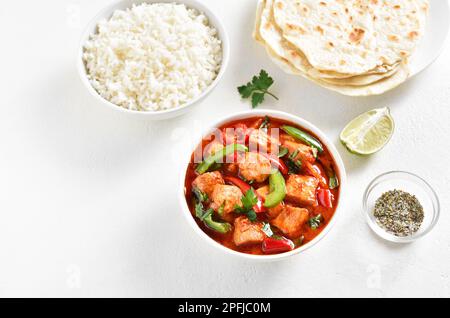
(88, 197)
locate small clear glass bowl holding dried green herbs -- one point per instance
(401, 207)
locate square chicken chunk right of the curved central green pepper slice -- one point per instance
(302, 189)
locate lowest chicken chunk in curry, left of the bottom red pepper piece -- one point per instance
(247, 232)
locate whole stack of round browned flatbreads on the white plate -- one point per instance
(354, 47)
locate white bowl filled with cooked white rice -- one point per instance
(156, 59)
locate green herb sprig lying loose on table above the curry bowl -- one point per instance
(257, 88)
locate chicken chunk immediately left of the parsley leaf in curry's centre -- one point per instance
(227, 196)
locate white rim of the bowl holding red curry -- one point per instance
(297, 121)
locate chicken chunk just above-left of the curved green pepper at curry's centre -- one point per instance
(255, 167)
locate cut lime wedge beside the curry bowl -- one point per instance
(369, 132)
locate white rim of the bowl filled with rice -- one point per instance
(223, 36)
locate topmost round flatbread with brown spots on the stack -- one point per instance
(352, 36)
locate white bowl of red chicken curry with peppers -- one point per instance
(263, 185)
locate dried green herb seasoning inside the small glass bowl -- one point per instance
(399, 213)
